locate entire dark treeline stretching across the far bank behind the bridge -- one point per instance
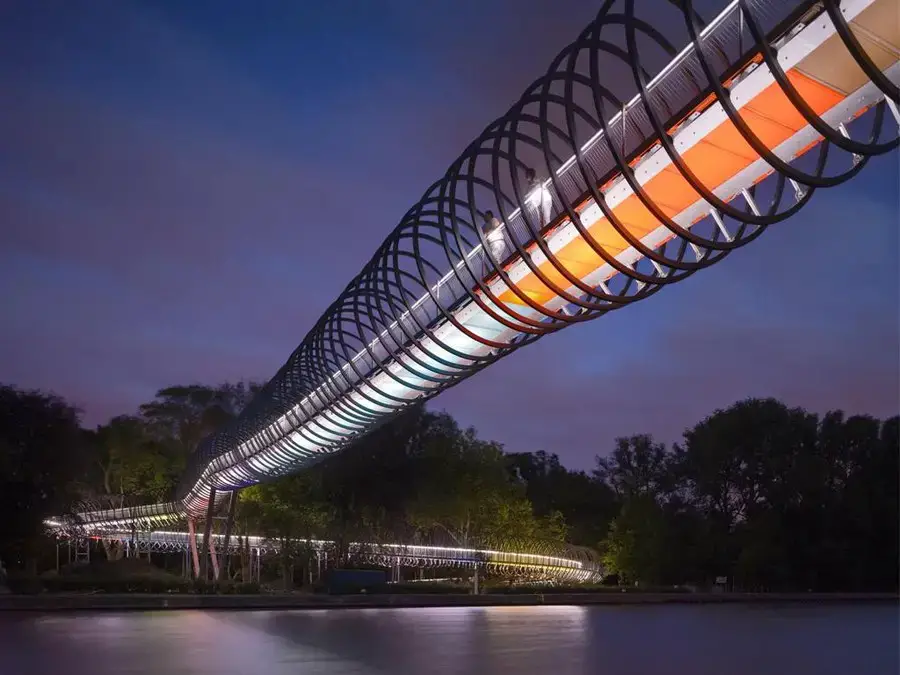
(767, 496)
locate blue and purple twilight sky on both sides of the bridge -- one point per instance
(185, 186)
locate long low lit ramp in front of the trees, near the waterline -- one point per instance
(557, 562)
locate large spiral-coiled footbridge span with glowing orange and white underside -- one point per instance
(655, 164)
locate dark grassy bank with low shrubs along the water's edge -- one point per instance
(138, 585)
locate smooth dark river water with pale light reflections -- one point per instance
(634, 640)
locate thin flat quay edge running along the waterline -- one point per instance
(48, 602)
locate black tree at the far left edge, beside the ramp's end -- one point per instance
(41, 457)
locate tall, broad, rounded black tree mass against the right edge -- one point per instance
(791, 502)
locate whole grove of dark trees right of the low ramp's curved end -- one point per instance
(770, 497)
